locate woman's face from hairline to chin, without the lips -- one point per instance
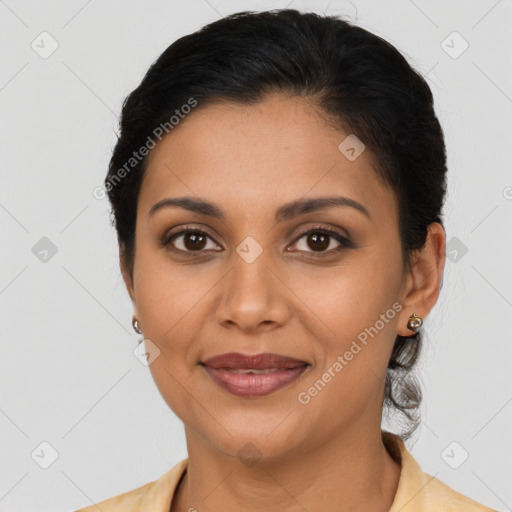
(308, 284)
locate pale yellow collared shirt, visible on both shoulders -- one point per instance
(417, 491)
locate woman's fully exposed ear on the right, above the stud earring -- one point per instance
(423, 283)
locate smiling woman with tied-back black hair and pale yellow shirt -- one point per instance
(277, 189)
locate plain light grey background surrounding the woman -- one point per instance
(68, 373)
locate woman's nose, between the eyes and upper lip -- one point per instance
(253, 295)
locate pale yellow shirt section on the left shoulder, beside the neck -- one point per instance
(154, 496)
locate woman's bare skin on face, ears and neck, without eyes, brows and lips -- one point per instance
(250, 160)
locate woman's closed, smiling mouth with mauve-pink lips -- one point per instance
(253, 376)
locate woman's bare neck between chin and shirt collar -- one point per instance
(352, 472)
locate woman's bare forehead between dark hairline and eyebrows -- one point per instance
(259, 155)
